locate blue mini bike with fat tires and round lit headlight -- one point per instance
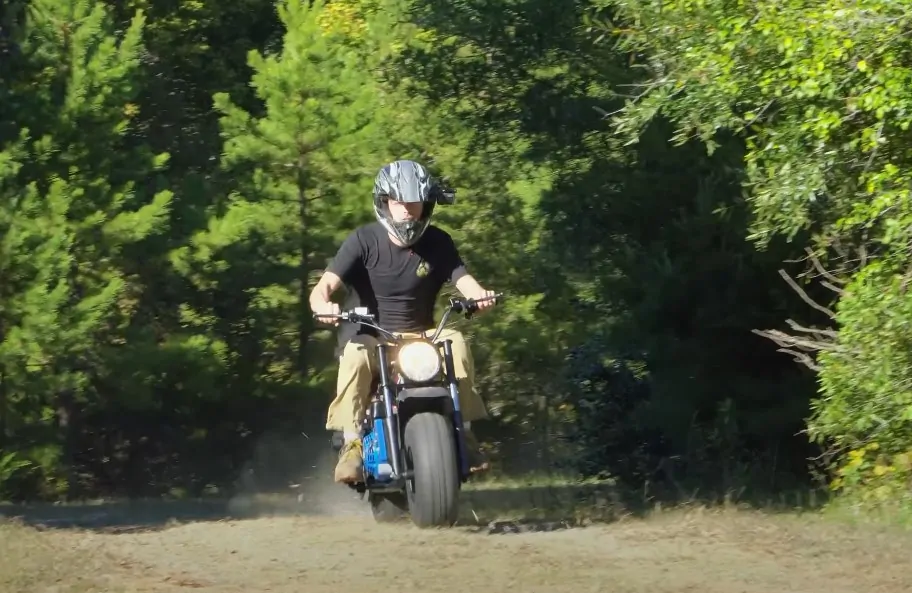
(415, 456)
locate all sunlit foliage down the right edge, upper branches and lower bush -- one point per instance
(819, 92)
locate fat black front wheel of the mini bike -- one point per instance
(430, 450)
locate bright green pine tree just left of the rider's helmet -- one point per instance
(304, 171)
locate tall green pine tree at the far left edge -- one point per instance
(75, 196)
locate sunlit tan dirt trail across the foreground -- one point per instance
(710, 552)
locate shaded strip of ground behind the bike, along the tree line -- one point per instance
(491, 506)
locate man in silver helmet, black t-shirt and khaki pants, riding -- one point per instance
(394, 270)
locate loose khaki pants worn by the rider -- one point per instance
(358, 365)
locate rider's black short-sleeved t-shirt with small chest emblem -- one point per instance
(398, 284)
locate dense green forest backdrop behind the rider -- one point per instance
(699, 209)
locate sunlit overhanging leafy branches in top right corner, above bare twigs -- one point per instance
(818, 90)
